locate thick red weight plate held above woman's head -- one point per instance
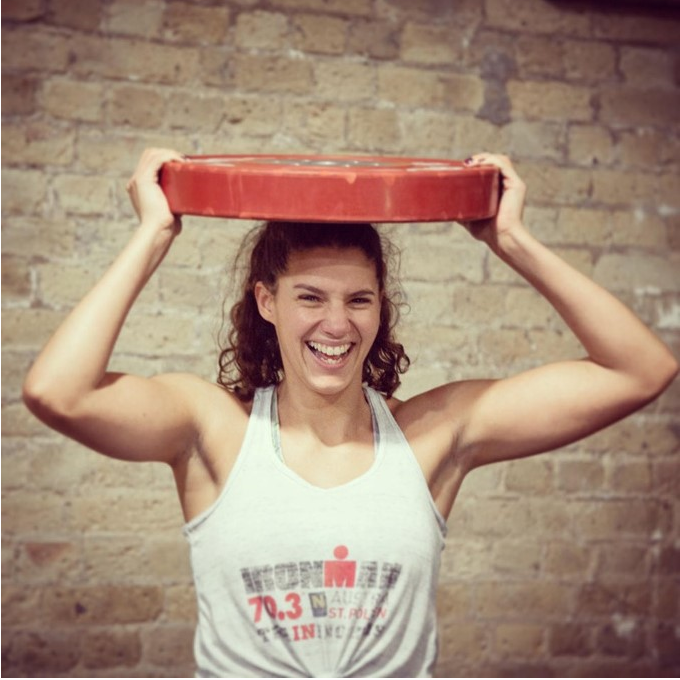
(331, 188)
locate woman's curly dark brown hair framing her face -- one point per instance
(251, 358)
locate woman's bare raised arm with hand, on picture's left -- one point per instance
(68, 386)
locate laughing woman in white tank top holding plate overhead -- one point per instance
(316, 505)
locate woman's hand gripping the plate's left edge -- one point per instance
(146, 194)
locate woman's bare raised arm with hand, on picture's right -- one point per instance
(625, 364)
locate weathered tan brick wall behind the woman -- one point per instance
(566, 564)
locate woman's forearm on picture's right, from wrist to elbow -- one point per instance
(611, 334)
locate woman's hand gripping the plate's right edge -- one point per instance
(509, 215)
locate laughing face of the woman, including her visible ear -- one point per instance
(326, 311)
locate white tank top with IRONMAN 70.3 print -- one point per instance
(293, 580)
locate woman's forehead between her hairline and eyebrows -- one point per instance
(347, 265)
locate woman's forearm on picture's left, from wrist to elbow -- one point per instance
(75, 359)
